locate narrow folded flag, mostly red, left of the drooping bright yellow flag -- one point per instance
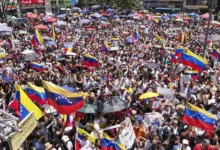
(15, 104)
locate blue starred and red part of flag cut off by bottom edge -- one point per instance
(107, 144)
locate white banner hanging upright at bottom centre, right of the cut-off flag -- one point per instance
(127, 135)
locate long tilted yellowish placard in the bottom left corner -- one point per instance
(27, 126)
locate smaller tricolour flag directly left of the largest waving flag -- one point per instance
(36, 94)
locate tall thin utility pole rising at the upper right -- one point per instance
(207, 30)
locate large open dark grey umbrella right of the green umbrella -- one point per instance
(114, 104)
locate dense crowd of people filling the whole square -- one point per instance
(128, 69)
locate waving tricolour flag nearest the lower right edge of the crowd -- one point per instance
(195, 116)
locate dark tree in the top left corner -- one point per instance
(4, 8)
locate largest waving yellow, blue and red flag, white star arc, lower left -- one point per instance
(63, 101)
